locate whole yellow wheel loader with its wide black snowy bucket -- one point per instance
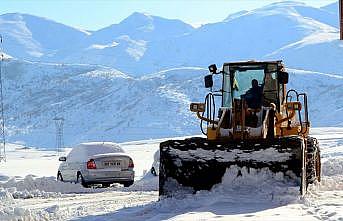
(260, 124)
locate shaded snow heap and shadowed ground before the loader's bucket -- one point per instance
(258, 190)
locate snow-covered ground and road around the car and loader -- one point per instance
(259, 198)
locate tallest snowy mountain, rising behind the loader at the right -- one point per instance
(247, 35)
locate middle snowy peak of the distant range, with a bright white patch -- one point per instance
(123, 45)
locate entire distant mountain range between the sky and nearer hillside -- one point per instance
(142, 43)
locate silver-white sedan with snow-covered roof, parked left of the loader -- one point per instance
(97, 163)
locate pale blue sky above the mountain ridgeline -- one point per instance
(96, 14)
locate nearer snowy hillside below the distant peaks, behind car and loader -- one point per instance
(101, 103)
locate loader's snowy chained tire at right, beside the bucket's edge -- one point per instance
(313, 167)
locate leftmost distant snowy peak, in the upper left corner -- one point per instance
(25, 36)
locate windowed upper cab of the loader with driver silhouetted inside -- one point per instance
(238, 83)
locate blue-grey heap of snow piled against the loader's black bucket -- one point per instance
(263, 184)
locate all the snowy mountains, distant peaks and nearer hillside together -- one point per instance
(114, 96)
